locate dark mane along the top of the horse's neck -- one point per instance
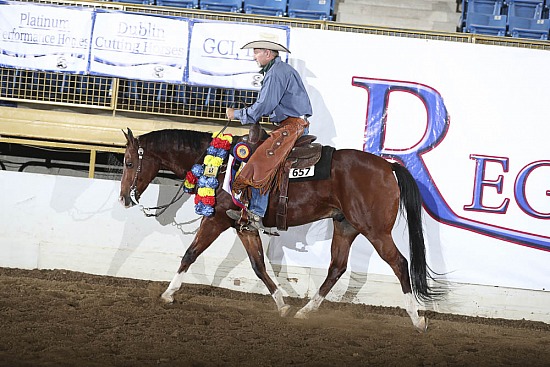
(174, 139)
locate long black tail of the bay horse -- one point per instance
(411, 204)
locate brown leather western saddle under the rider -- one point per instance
(304, 154)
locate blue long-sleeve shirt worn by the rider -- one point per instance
(282, 95)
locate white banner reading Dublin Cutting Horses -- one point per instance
(139, 46)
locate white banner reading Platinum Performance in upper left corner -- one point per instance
(45, 37)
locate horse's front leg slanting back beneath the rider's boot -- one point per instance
(253, 245)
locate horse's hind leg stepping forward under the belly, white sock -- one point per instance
(344, 234)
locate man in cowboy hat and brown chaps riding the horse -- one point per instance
(284, 99)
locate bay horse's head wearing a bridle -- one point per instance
(139, 169)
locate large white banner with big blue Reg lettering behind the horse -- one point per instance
(472, 134)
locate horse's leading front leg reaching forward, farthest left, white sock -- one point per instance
(209, 230)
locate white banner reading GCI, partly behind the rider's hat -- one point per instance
(216, 58)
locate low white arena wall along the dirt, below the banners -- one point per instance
(57, 222)
